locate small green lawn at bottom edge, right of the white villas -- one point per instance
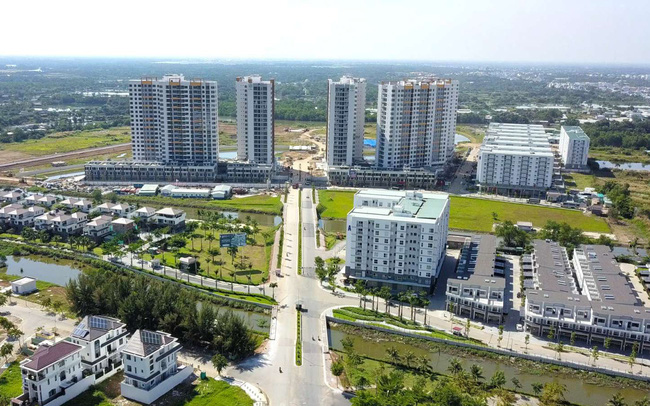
(211, 392)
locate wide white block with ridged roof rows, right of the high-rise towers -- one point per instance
(515, 157)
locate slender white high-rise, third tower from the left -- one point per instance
(346, 101)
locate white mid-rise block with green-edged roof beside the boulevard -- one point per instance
(397, 238)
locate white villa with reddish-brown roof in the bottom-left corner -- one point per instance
(53, 375)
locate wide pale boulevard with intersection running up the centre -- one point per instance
(304, 385)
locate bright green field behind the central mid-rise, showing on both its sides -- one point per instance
(476, 214)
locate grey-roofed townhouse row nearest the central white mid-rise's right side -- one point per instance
(477, 288)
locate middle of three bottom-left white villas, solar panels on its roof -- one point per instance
(102, 339)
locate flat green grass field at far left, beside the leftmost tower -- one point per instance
(70, 141)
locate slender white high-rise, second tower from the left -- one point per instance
(255, 122)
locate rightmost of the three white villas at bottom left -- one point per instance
(151, 368)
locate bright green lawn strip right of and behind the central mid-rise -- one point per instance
(476, 215)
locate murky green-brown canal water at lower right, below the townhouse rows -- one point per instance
(578, 390)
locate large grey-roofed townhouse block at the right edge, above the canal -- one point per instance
(596, 302)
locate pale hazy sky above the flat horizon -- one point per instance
(548, 31)
